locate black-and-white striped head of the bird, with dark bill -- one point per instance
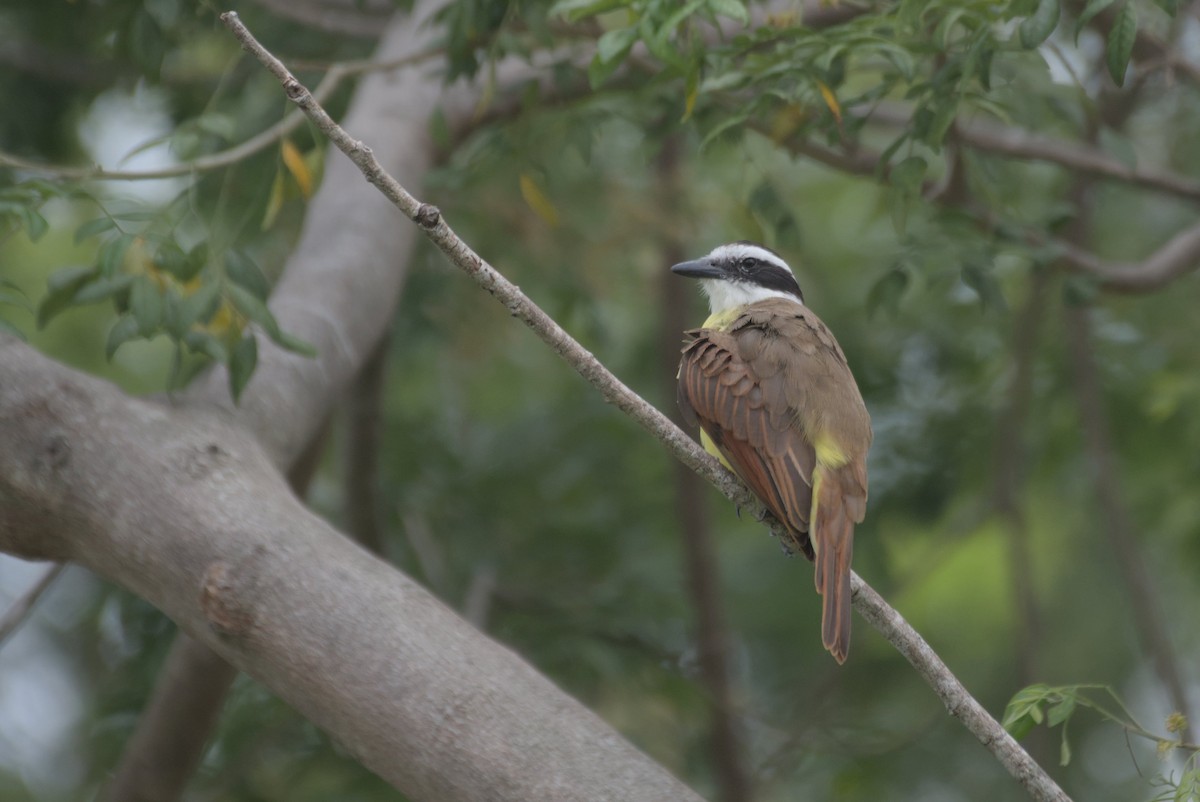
(742, 273)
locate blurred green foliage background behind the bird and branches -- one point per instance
(1035, 422)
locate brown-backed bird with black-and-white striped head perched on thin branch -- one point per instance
(777, 404)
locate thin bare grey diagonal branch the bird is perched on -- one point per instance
(869, 605)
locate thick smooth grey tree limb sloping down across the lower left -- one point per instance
(196, 520)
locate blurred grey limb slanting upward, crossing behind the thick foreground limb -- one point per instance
(349, 272)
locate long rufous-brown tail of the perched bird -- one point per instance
(832, 531)
